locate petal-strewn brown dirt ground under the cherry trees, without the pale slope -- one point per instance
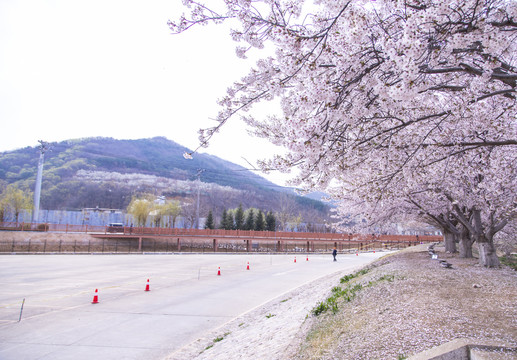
(418, 305)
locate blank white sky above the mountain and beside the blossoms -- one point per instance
(73, 69)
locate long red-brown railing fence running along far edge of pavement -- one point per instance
(138, 239)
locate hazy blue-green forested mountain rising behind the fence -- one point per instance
(105, 172)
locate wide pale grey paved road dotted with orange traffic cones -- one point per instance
(186, 299)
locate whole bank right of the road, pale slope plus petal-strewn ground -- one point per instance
(408, 303)
